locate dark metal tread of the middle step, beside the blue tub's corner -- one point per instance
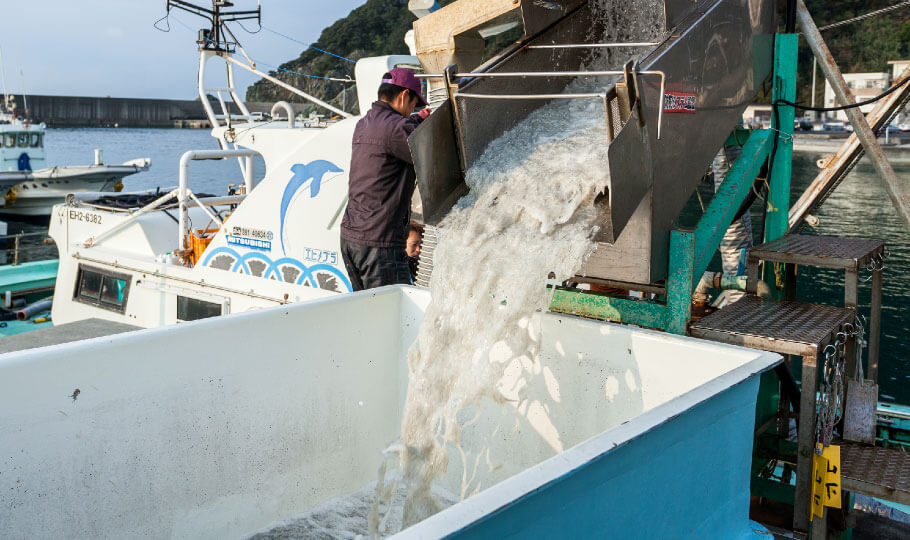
(771, 325)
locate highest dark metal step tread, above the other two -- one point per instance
(824, 251)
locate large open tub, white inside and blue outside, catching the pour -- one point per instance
(219, 428)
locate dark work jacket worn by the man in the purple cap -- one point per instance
(381, 179)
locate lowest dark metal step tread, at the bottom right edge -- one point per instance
(879, 472)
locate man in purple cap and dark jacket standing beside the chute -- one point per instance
(375, 227)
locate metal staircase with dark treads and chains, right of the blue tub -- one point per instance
(818, 334)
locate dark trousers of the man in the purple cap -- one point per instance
(370, 267)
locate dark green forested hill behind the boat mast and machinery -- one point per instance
(378, 28)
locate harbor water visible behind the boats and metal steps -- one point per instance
(860, 207)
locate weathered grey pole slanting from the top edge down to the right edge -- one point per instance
(896, 191)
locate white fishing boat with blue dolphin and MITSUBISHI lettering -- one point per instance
(177, 257)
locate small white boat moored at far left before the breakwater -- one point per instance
(29, 188)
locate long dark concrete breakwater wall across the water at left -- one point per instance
(77, 111)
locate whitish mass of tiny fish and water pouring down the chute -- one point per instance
(530, 212)
